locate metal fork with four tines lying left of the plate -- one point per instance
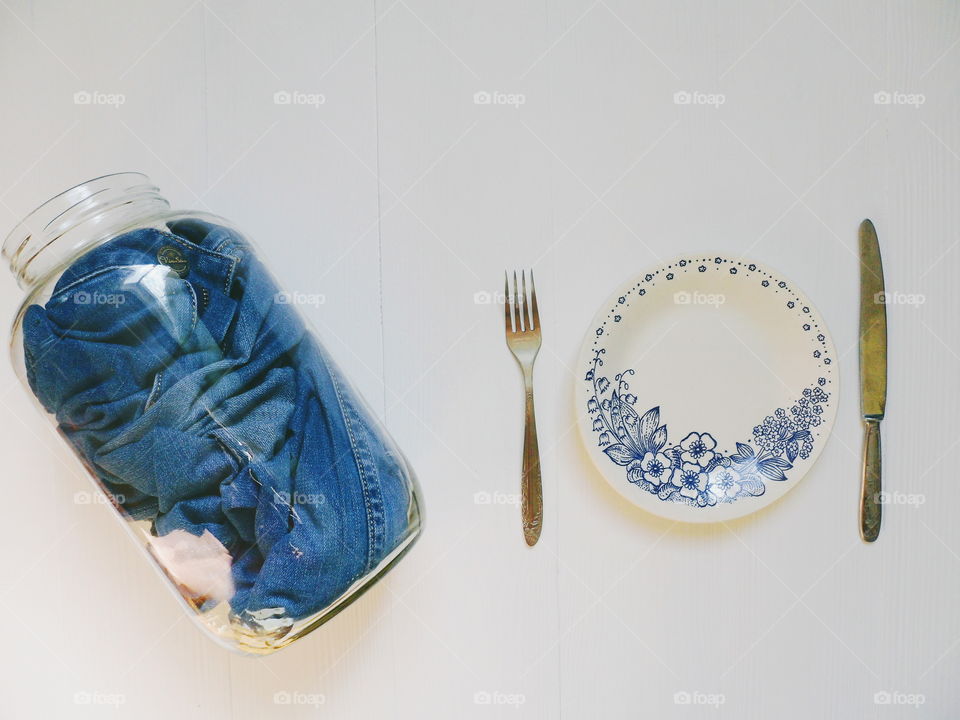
(523, 339)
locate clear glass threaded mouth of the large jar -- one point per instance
(76, 218)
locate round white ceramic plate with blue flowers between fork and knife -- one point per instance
(710, 385)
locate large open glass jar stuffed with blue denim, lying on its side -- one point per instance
(247, 468)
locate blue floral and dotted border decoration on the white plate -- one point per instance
(694, 471)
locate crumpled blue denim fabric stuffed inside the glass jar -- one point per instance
(203, 402)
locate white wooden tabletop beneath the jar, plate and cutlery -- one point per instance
(388, 187)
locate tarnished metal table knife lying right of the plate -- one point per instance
(873, 376)
